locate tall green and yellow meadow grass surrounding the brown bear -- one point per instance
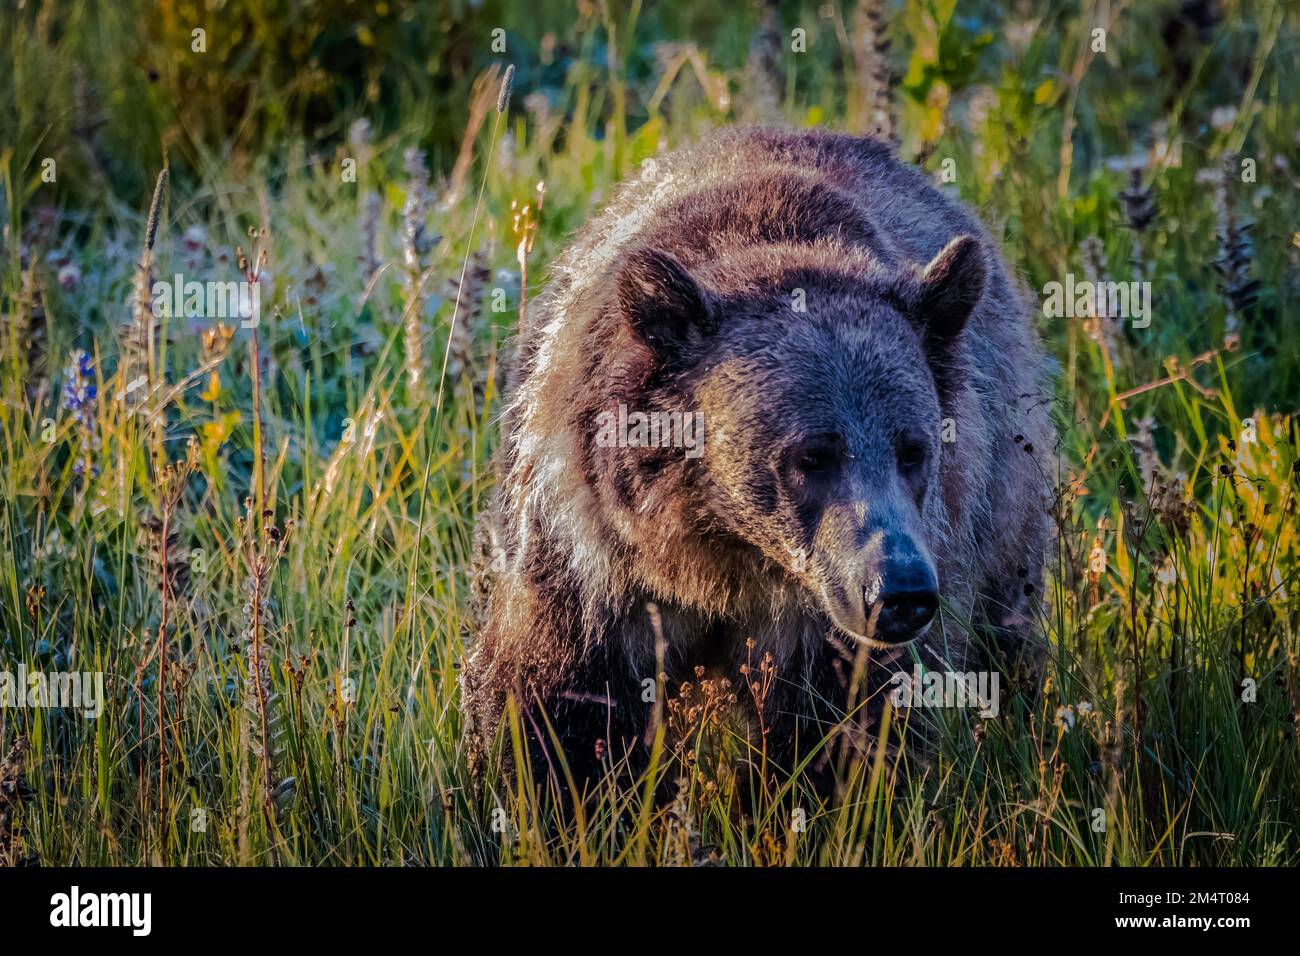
(1176, 572)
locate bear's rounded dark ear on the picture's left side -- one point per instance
(662, 302)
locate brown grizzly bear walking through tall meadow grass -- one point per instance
(782, 399)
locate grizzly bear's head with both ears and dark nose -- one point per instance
(822, 382)
